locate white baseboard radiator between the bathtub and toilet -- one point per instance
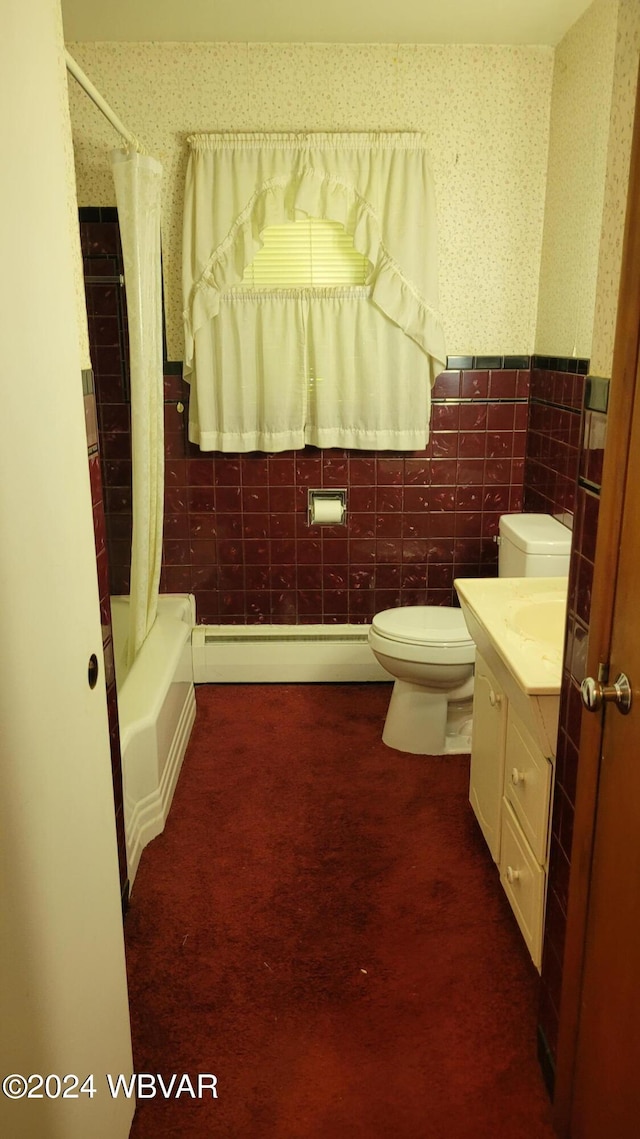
(284, 654)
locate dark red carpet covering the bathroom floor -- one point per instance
(322, 928)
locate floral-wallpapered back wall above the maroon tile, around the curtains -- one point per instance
(486, 112)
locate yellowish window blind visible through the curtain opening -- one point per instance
(305, 255)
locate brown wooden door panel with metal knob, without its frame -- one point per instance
(606, 1100)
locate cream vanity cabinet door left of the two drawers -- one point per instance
(488, 755)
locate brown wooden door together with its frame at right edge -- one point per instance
(598, 1085)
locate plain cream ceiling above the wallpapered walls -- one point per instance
(323, 22)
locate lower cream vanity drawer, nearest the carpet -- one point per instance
(524, 882)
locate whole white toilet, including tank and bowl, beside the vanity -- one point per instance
(430, 653)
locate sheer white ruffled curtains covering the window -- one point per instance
(335, 367)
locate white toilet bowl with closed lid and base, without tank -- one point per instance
(430, 653)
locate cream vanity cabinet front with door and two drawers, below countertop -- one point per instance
(512, 784)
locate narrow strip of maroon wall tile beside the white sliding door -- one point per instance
(101, 536)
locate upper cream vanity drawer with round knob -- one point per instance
(528, 784)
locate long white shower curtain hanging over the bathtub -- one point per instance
(138, 181)
